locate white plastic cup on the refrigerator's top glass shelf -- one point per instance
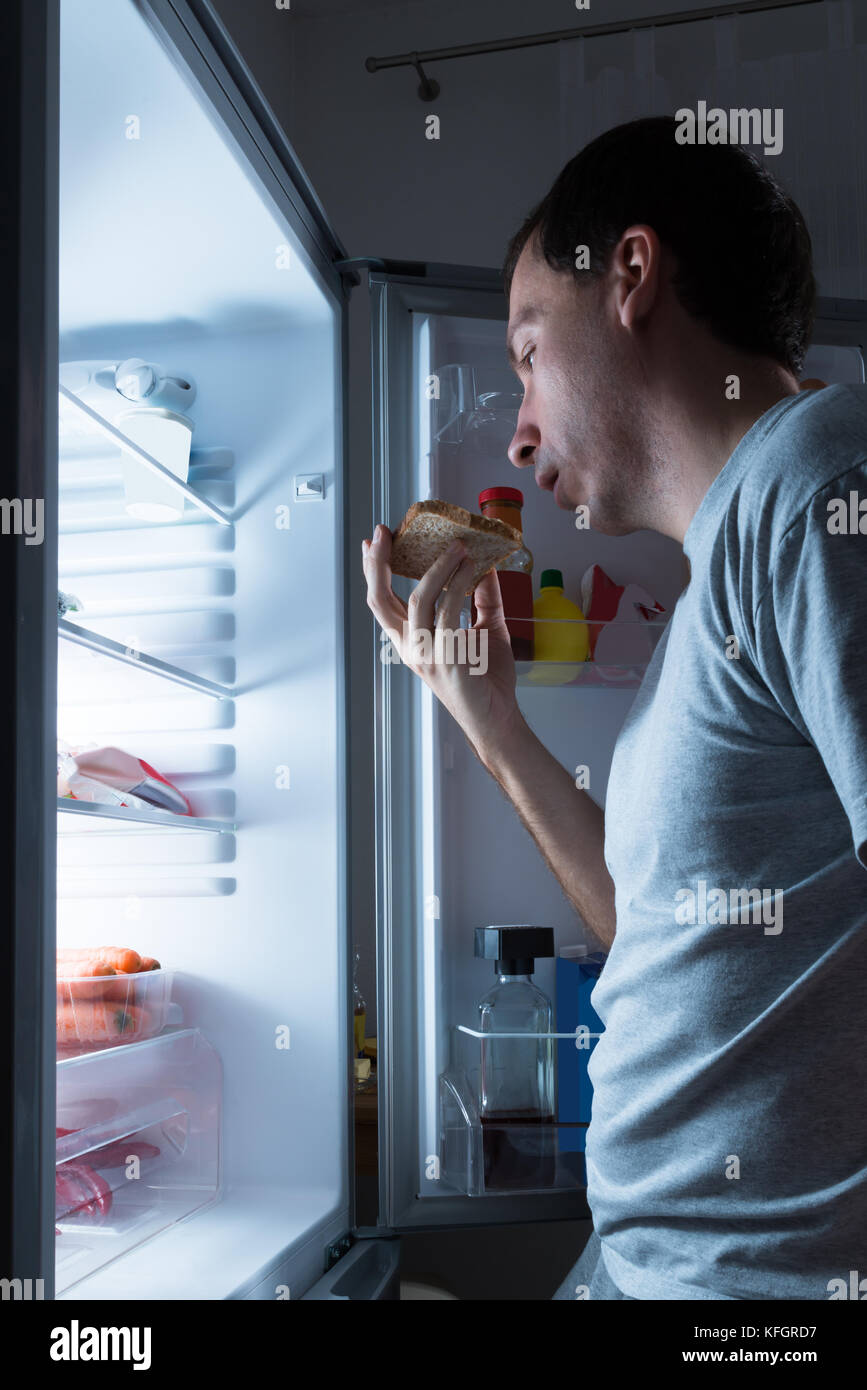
(167, 437)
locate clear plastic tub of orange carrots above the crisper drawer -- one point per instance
(97, 1013)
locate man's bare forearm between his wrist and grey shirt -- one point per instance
(566, 824)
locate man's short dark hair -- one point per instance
(743, 248)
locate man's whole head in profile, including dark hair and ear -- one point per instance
(697, 261)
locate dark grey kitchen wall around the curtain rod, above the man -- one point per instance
(511, 120)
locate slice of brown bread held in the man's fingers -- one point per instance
(430, 528)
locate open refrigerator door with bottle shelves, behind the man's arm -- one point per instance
(452, 856)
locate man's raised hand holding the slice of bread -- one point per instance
(484, 705)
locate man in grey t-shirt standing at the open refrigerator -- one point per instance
(661, 306)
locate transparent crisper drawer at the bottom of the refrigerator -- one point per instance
(138, 1147)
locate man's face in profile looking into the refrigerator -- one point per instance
(580, 426)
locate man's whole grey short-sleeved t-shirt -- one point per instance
(727, 1152)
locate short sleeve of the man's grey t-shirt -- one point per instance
(812, 637)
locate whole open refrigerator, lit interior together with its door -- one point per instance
(177, 383)
